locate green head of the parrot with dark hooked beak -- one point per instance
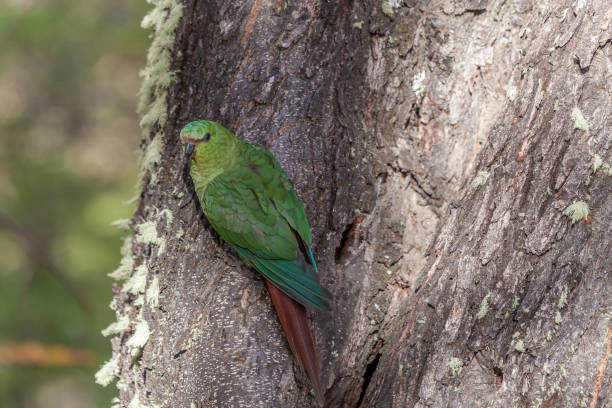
(207, 141)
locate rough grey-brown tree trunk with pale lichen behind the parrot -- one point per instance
(446, 154)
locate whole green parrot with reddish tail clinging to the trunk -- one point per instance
(250, 202)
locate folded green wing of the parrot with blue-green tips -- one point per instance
(253, 207)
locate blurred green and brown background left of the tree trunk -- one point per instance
(68, 140)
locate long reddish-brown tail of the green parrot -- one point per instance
(292, 316)
